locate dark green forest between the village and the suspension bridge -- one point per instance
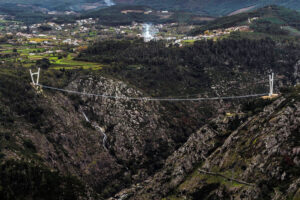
(161, 69)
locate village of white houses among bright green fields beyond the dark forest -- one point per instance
(60, 43)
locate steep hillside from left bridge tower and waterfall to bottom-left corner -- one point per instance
(97, 145)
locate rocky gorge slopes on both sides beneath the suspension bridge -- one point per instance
(152, 149)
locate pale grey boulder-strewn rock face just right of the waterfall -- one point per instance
(134, 128)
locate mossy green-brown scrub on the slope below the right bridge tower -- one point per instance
(233, 161)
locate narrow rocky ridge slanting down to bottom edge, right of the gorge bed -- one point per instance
(177, 166)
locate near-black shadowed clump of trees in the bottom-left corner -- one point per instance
(21, 180)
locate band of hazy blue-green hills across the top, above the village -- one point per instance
(191, 12)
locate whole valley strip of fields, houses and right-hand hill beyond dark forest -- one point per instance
(24, 45)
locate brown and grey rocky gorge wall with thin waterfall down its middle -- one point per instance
(106, 143)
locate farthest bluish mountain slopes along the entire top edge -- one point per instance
(205, 7)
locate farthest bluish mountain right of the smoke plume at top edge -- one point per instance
(212, 7)
